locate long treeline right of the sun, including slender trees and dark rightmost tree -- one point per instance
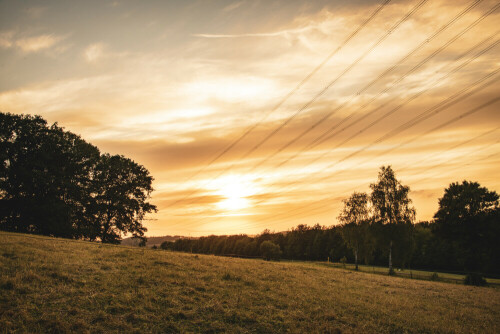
(463, 236)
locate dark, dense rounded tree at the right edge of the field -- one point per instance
(468, 219)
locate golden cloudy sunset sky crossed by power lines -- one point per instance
(256, 115)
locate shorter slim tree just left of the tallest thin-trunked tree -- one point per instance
(354, 217)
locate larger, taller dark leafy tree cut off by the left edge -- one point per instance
(44, 177)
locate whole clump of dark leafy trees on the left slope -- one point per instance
(52, 182)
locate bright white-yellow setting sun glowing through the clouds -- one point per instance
(235, 190)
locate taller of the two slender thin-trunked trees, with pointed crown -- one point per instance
(392, 207)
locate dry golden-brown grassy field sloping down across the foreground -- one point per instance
(53, 285)
